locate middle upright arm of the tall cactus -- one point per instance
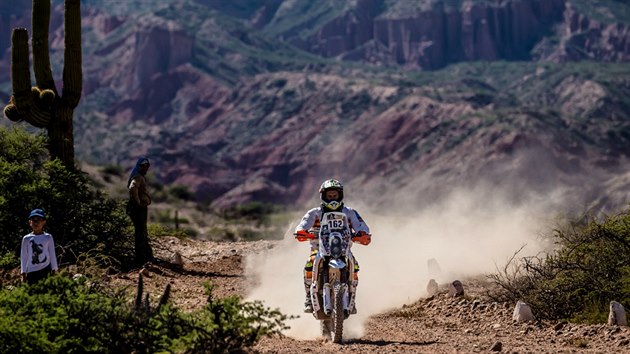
(41, 57)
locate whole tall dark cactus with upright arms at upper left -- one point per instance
(41, 105)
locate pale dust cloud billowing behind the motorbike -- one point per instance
(468, 233)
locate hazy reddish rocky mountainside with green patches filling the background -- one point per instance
(261, 100)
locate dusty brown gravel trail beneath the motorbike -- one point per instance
(438, 324)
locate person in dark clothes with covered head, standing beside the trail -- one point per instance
(137, 208)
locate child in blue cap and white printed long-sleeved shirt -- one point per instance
(37, 256)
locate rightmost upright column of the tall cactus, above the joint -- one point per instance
(72, 70)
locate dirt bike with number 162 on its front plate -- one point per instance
(332, 290)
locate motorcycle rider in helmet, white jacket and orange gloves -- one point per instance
(331, 195)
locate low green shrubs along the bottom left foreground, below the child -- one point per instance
(62, 315)
